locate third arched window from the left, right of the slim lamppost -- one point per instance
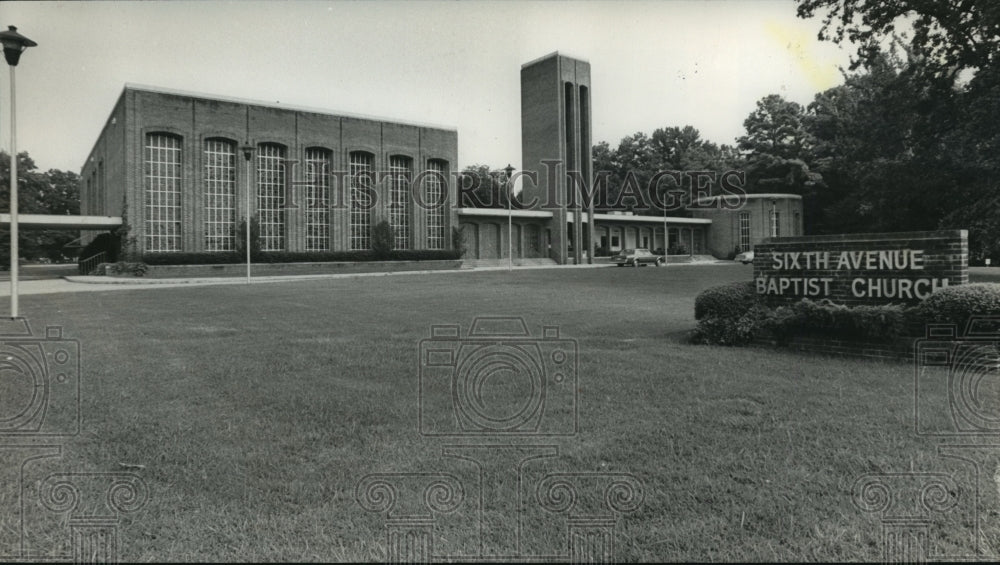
(271, 196)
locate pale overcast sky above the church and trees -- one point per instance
(654, 64)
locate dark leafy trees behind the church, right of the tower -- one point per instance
(909, 141)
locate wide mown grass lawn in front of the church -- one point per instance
(252, 413)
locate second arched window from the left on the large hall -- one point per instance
(220, 195)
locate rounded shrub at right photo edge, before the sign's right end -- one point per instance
(956, 304)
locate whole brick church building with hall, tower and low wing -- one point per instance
(184, 167)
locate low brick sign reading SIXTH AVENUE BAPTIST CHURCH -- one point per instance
(872, 268)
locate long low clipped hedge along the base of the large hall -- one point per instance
(210, 258)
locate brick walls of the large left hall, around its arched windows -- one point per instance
(195, 119)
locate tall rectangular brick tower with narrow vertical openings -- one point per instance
(555, 140)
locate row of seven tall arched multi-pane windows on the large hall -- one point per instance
(163, 175)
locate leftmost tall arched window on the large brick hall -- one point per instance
(162, 172)
